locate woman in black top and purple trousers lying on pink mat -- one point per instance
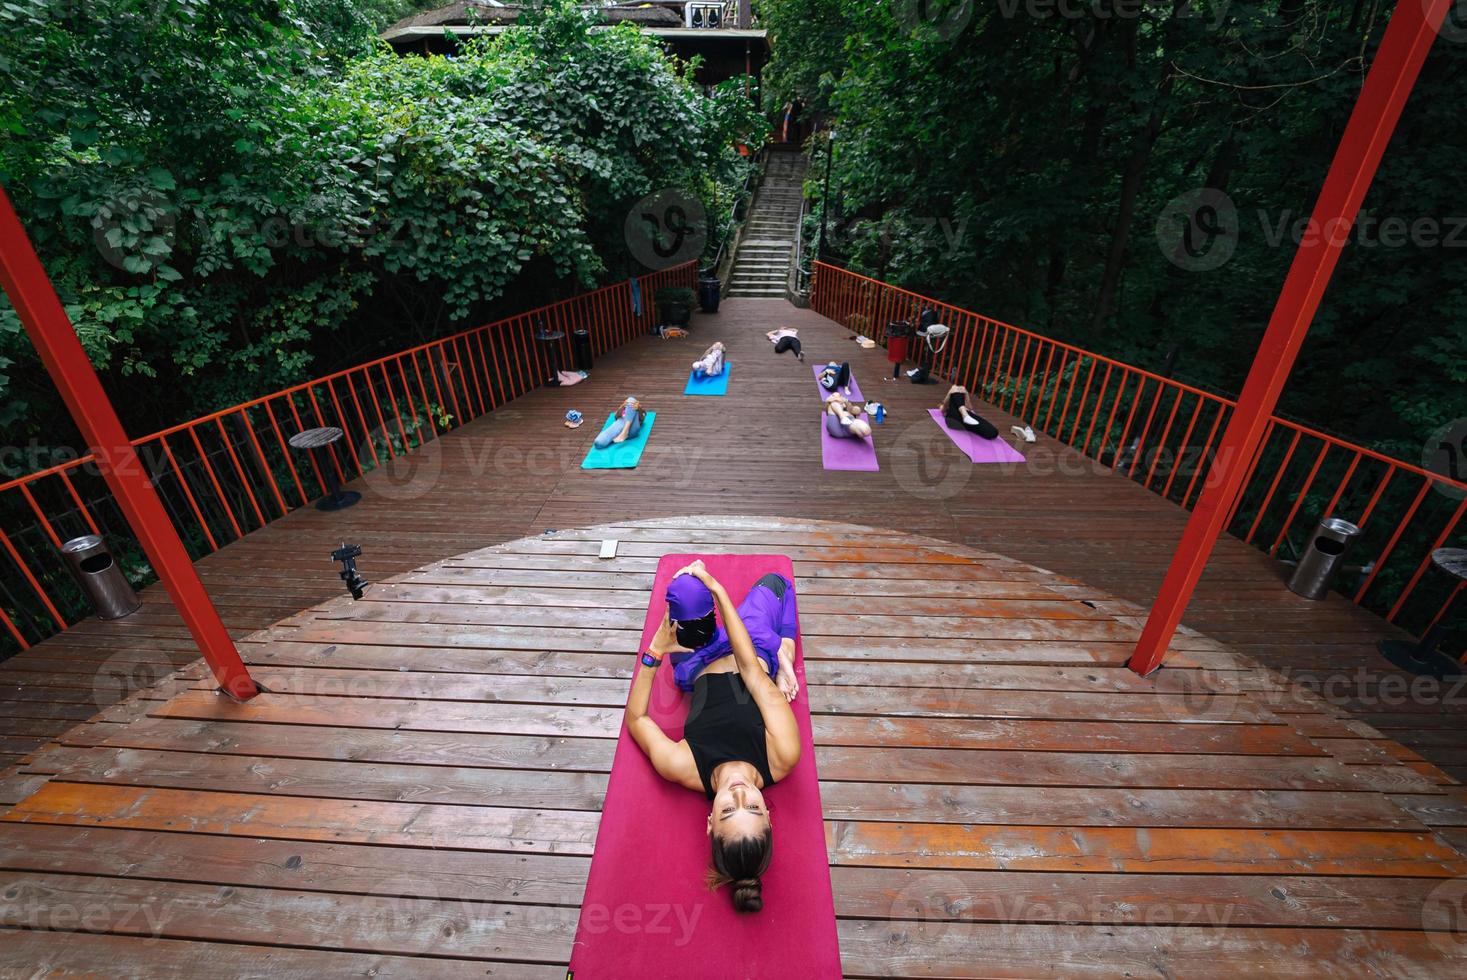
(742, 734)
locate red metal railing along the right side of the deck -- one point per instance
(1163, 434)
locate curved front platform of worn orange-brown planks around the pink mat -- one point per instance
(419, 793)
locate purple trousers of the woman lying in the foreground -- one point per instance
(768, 614)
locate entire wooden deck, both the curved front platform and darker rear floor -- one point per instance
(419, 794)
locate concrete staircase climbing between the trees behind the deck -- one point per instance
(762, 263)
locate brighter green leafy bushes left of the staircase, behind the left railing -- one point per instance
(231, 197)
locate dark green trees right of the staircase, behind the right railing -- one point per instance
(1020, 168)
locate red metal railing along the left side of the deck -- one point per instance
(233, 472)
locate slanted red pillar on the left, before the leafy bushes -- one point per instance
(51, 331)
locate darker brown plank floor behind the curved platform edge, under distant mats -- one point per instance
(753, 453)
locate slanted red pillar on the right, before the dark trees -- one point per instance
(1393, 76)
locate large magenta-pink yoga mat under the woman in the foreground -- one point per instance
(646, 912)
